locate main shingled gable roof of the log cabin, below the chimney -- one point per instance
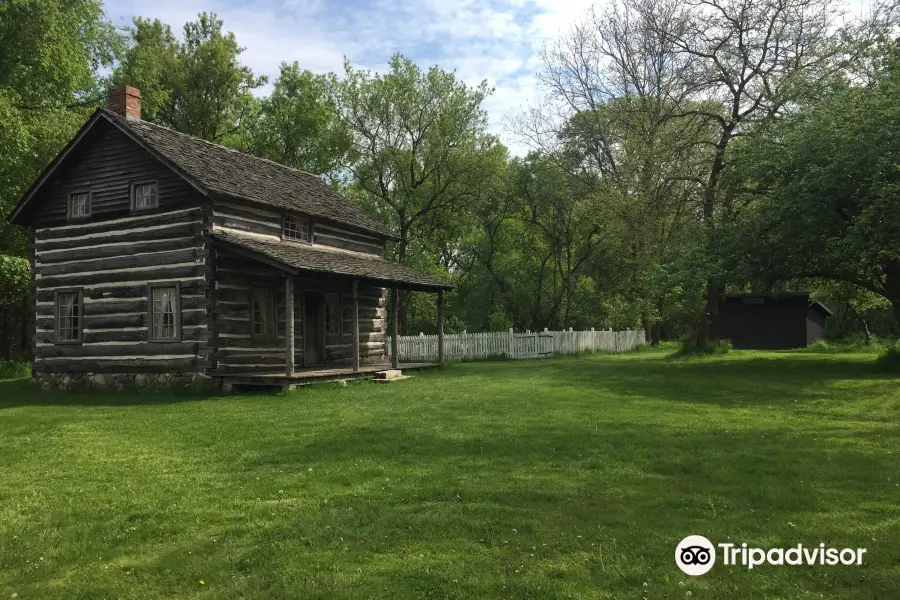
(217, 171)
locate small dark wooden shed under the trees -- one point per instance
(773, 321)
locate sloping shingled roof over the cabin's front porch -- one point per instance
(297, 258)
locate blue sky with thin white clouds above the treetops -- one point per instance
(480, 39)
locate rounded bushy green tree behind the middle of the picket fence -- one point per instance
(531, 243)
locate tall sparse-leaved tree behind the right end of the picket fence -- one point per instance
(617, 90)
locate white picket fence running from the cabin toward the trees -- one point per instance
(468, 346)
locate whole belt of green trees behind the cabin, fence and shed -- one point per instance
(646, 191)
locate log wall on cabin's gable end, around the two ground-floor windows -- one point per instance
(113, 262)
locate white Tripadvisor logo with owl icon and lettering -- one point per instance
(696, 555)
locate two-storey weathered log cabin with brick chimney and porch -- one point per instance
(154, 252)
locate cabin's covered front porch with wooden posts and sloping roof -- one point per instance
(323, 312)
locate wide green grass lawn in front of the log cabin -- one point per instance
(566, 478)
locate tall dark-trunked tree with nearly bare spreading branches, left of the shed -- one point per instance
(753, 60)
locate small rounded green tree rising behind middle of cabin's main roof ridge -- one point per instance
(297, 125)
